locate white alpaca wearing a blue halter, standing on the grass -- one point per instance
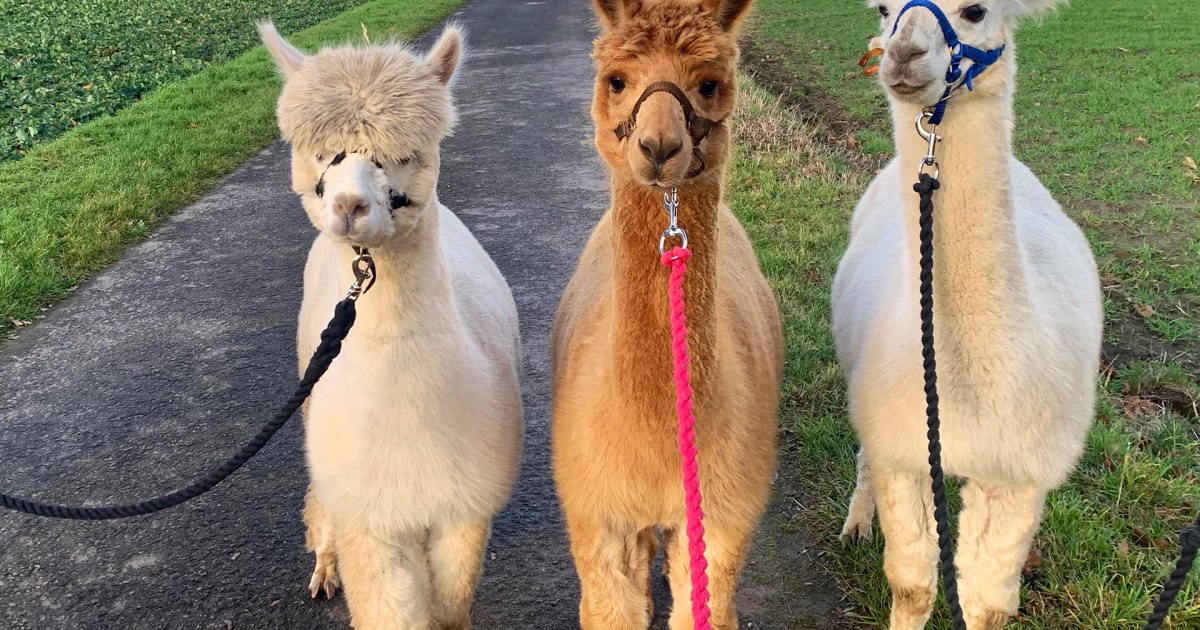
(1018, 326)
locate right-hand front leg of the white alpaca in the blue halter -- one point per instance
(995, 533)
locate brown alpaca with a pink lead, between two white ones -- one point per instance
(616, 459)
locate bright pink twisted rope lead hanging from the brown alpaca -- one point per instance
(677, 260)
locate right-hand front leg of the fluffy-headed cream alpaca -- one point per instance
(457, 561)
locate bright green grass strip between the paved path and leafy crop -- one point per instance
(74, 205)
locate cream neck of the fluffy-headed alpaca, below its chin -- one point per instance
(413, 293)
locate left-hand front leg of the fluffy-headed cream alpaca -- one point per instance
(387, 579)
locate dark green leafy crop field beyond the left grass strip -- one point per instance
(63, 64)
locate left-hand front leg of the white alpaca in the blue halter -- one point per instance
(910, 554)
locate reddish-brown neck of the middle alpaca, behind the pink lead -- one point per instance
(641, 334)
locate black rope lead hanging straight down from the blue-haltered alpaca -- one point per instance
(926, 189)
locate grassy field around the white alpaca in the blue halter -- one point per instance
(1108, 116)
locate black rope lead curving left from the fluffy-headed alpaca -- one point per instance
(329, 349)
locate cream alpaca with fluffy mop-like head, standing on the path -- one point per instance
(415, 435)
